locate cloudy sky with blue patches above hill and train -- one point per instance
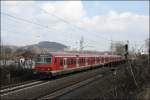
(98, 22)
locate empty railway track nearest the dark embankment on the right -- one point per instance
(68, 89)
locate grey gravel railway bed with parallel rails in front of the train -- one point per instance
(60, 86)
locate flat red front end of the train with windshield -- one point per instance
(43, 66)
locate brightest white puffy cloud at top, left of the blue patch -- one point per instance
(72, 10)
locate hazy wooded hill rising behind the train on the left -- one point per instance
(45, 46)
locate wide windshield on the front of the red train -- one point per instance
(44, 59)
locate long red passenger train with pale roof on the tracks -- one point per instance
(52, 64)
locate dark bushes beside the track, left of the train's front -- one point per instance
(12, 74)
